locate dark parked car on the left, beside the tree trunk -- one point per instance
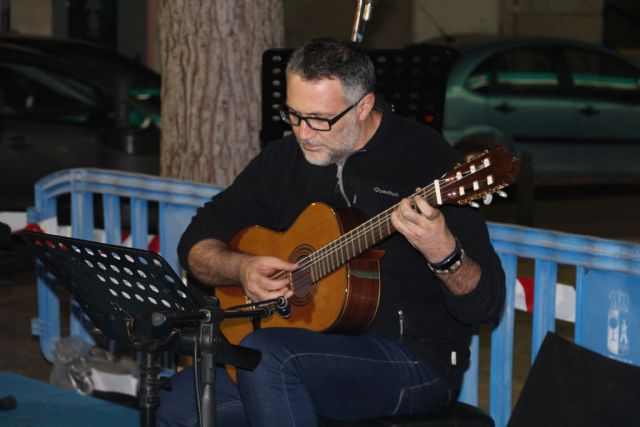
(57, 114)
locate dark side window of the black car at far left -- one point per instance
(34, 91)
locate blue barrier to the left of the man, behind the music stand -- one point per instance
(176, 202)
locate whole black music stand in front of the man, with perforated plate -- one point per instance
(134, 296)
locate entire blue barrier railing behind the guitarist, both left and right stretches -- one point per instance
(607, 272)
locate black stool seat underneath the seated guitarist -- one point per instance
(457, 414)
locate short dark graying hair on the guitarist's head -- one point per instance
(334, 59)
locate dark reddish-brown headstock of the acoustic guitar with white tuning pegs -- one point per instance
(479, 178)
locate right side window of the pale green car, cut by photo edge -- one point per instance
(595, 74)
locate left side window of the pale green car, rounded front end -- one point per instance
(518, 71)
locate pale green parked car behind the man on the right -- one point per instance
(574, 107)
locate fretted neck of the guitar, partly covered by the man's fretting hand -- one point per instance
(353, 243)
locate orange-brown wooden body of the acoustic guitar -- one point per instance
(345, 300)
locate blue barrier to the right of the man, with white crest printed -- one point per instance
(602, 266)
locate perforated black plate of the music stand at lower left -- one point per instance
(114, 285)
